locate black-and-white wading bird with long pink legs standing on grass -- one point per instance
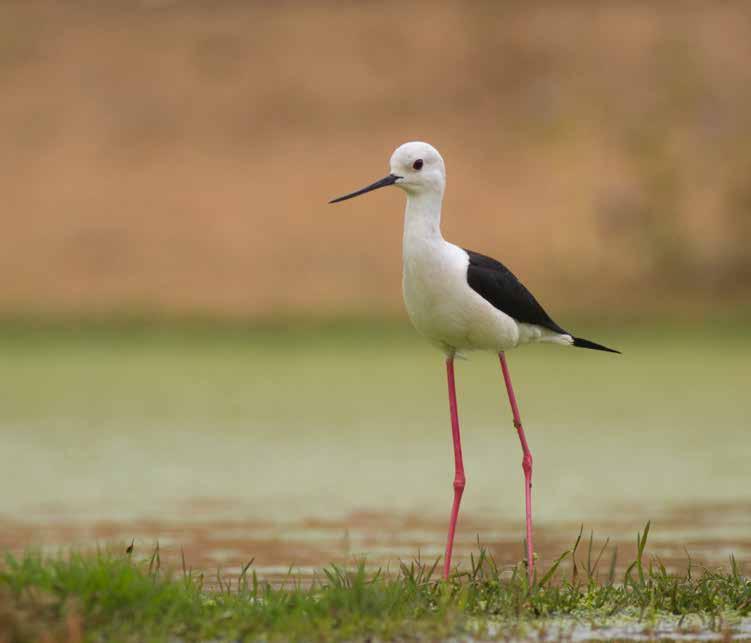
(461, 301)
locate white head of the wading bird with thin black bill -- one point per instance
(416, 167)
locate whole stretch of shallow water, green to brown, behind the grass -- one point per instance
(300, 447)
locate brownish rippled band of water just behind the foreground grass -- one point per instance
(709, 535)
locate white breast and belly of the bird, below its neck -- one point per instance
(444, 308)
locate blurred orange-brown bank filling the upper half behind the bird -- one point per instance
(176, 157)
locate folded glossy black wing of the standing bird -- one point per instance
(497, 284)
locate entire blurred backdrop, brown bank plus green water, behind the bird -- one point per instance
(190, 333)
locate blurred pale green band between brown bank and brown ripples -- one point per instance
(158, 411)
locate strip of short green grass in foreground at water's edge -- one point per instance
(111, 596)
